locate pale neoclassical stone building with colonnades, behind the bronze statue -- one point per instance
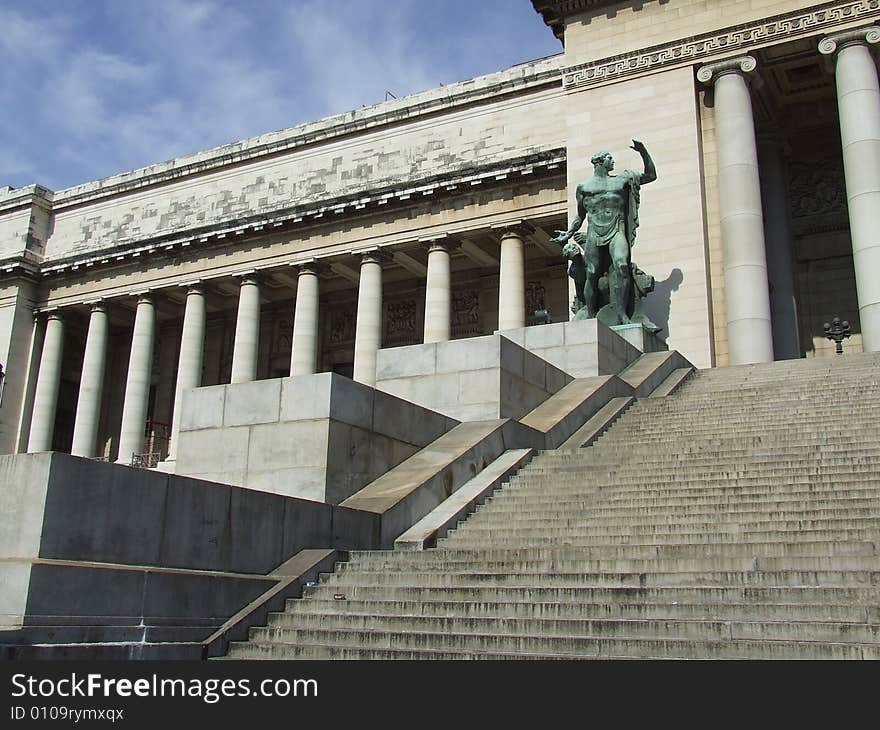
(430, 217)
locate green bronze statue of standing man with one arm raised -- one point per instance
(608, 285)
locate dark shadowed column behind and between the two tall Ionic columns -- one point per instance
(778, 238)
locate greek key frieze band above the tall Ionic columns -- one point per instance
(706, 46)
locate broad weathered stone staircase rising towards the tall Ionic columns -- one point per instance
(738, 518)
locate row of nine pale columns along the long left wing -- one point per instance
(304, 350)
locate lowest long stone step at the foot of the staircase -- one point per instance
(571, 645)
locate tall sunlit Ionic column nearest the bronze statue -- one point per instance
(749, 329)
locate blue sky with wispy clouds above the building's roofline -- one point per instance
(90, 88)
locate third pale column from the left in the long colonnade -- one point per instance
(137, 384)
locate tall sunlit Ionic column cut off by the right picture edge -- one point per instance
(858, 103)
